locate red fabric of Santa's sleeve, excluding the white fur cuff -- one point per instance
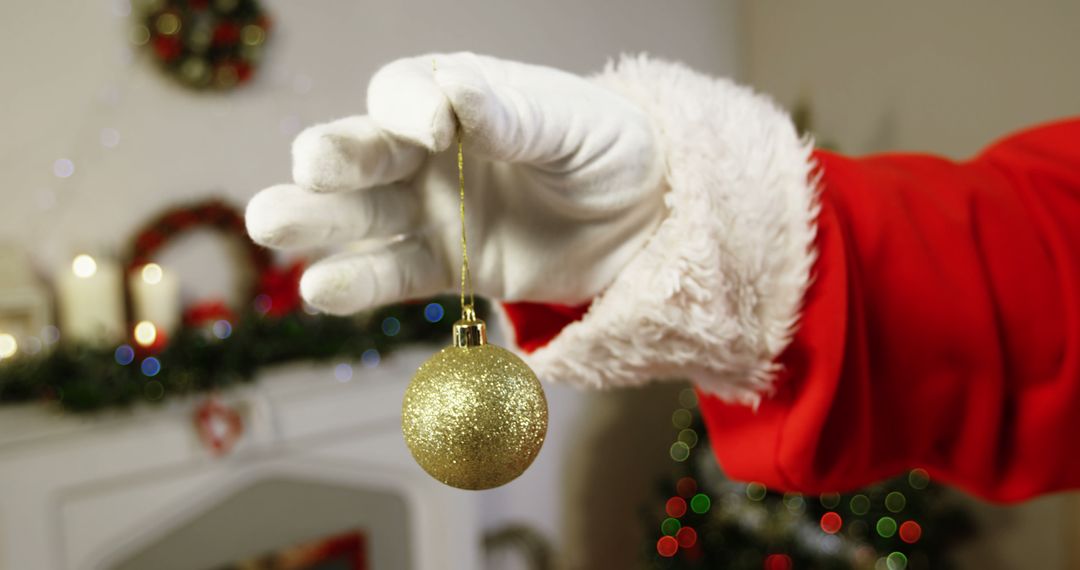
(942, 329)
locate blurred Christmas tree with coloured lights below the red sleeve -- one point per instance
(705, 521)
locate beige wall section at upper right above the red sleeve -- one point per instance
(921, 75)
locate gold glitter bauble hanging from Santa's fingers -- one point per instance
(475, 416)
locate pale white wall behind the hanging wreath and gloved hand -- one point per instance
(69, 73)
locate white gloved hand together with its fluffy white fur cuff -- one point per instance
(681, 205)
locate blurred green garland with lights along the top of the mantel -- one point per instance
(82, 379)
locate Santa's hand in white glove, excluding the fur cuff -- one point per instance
(564, 184)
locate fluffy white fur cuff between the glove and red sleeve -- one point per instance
(715, 294)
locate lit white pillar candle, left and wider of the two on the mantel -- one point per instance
(91, 302)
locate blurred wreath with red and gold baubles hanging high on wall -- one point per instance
(206, 45)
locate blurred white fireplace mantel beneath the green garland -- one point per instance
(93, 493)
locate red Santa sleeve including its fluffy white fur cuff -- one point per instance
(937, 324)
